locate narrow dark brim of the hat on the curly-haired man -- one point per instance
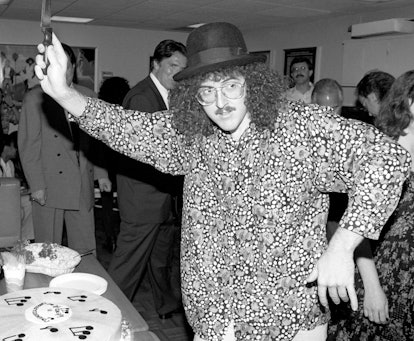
(203, 68)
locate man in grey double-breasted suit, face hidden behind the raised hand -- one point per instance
(54, 156)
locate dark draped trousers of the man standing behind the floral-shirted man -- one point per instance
(145, 247)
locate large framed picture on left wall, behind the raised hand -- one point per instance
(17, 69)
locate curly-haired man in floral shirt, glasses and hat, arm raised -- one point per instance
(257, 172)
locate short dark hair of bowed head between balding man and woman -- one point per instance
(377, 82)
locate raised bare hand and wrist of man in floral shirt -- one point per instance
(54, 82)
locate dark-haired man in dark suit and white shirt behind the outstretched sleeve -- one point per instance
(145, 196)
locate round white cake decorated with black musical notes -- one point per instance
(58, 314)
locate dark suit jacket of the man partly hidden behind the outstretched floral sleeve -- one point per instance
(153, 187)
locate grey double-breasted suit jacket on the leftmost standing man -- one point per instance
(48, 156)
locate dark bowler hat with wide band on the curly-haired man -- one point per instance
(215, 46)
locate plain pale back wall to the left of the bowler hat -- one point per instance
(124, 52)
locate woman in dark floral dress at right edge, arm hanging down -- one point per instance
(388, 307)
